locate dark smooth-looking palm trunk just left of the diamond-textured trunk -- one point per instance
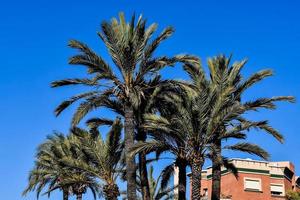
(181, 179)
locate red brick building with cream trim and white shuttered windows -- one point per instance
(257, 180)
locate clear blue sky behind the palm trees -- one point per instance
(33, 52)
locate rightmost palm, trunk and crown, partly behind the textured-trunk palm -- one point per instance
(227, 115)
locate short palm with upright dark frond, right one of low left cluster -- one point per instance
(99, 158)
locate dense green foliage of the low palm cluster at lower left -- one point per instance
(77, 162)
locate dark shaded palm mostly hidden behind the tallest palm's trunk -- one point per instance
(151, 100)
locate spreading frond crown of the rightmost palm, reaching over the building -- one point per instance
(227, 77)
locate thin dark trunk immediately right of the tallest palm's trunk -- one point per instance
(143, 169)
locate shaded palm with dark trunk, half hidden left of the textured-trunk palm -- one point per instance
(167, 143)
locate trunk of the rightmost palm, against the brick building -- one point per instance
(216, 172)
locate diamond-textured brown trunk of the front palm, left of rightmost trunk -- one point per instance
(196, 178)
